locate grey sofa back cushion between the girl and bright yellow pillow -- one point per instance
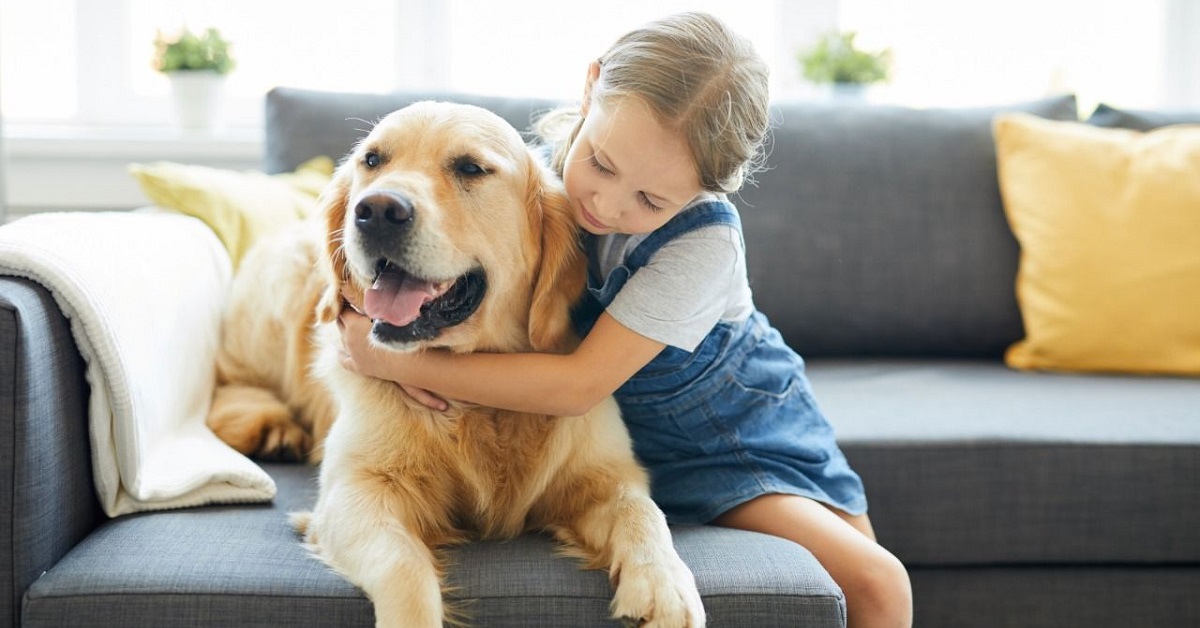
(879, 231)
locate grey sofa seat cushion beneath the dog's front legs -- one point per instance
(244, 566)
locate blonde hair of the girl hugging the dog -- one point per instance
(697, 76)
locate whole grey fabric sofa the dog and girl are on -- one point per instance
(879, 247)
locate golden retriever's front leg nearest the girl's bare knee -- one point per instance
(653, 584)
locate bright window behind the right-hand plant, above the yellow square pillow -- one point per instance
(951, 53)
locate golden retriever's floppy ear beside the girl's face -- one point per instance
(562, 273)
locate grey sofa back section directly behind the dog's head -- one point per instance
(304, 124)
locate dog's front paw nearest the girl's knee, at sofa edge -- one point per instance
(659, 596)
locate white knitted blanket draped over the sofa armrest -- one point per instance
(143, 292)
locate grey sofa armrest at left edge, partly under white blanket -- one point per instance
(47, 500)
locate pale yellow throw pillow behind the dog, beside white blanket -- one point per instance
(241, 207)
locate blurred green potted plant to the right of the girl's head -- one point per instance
(837, 61)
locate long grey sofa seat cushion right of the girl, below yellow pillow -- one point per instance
(971, 463)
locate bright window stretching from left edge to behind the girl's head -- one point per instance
(86, 63)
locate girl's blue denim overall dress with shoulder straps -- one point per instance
(733, 420)
